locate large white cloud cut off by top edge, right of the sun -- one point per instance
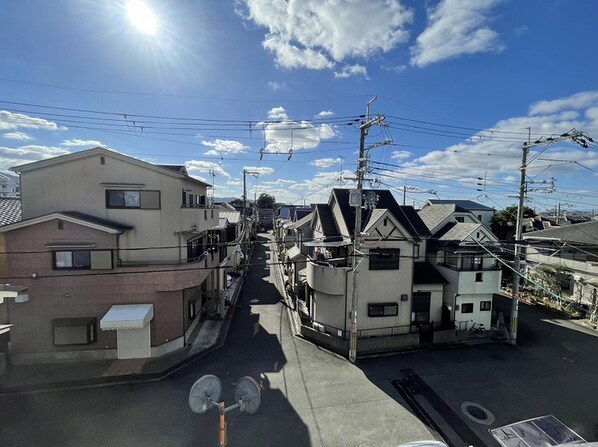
(317, 34)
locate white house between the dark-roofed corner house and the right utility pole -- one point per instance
(458, 250)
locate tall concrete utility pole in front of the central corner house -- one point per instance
(361, 171)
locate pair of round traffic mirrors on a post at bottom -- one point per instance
(205, 394)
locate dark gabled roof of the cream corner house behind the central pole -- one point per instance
(405, 215)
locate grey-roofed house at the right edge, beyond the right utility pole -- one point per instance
(563, 261)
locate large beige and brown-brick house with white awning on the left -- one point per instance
(118, 257)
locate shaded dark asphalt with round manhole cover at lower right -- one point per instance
(552, 370)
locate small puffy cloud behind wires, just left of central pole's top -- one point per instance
(283, 134)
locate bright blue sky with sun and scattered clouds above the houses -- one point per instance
(281, 88)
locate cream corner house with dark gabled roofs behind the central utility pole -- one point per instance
(399, 294)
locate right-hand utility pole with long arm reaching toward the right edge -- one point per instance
(574, 136)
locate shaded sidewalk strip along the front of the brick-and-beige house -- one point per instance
(67, 375)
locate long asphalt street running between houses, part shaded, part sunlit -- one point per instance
(310, 397)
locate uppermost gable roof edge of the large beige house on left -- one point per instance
(173, 171)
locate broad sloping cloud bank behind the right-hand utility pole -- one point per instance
(498, 150)
